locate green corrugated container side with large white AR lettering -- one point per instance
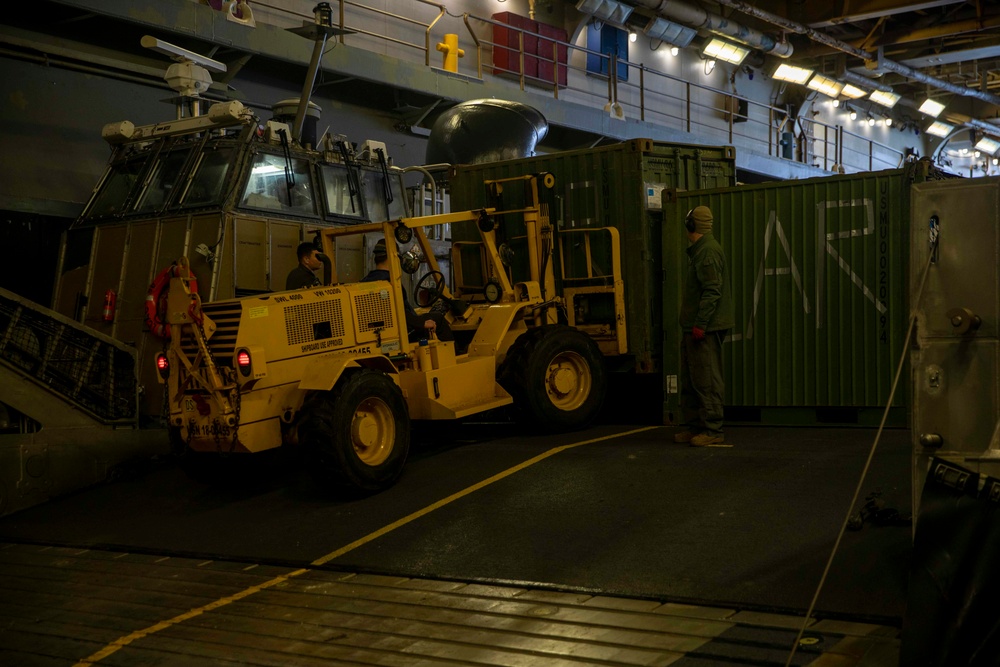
(818, 274)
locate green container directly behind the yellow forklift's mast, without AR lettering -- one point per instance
(612, 186)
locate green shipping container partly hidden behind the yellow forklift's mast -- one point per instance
(617, 187)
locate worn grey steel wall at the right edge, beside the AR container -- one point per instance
(956, 371)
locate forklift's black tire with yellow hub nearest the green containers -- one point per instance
(556, 376)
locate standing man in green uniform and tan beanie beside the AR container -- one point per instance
(706, 317)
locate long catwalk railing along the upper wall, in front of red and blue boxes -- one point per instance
(625, 89)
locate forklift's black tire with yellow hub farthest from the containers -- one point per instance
(357, 436)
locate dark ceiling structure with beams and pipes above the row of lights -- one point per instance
(945, 50)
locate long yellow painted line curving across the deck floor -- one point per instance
(122, 642)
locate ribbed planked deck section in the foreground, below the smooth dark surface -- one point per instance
(65, 606)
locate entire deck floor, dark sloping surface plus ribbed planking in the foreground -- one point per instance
(612, 546)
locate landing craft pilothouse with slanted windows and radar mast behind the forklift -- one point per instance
(219, 185)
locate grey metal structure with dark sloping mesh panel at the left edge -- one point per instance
(68, 405)
